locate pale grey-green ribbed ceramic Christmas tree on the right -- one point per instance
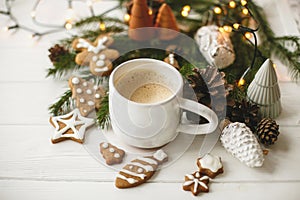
(264, 90)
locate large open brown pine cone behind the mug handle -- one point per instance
(210, 89)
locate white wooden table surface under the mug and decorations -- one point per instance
(33, 168)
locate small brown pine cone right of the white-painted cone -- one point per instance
(267, 131)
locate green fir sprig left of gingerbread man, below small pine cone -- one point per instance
(64, 63)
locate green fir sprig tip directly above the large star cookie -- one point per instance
(63, 105)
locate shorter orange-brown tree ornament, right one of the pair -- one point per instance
(166, 19)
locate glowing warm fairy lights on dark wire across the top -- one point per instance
(69, 20)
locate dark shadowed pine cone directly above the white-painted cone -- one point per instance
(244, 112)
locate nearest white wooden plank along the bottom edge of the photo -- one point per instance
(15, 190)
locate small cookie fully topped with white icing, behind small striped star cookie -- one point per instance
(210, 165)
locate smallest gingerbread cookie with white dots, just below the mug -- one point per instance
(111, 153)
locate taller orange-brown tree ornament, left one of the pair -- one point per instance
(140, 18)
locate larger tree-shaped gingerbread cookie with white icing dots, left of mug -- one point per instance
(87, 95)
